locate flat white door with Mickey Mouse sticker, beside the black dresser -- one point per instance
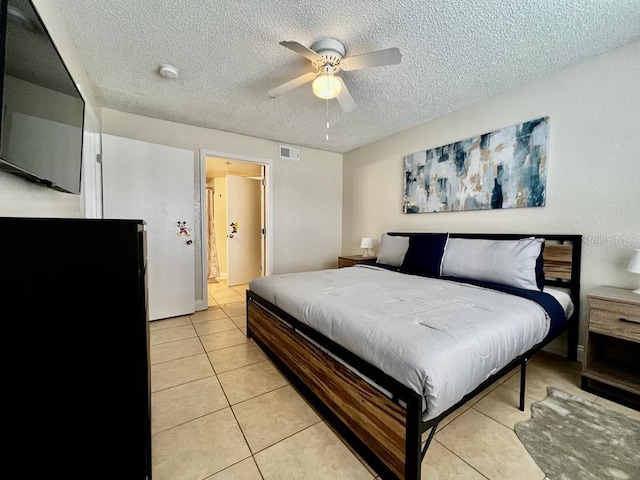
(155, 183)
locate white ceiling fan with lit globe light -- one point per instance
(327, 57)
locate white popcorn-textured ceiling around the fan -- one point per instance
(227, 52)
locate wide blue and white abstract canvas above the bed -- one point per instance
(506, 168)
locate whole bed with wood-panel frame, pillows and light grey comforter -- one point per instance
(386, 351)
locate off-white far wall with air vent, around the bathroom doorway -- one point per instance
(307, 195)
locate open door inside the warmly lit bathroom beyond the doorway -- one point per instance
(244, 235)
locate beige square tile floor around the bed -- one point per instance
(222, 411)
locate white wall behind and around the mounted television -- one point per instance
(21, 198)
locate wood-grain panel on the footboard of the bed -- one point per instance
(372, 416)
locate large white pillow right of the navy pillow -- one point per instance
(508, 262)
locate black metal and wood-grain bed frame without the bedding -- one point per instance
(387, 432)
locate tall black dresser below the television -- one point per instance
(75, 355)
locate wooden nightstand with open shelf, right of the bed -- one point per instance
(612, 351)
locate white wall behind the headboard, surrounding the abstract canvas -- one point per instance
(594, 166)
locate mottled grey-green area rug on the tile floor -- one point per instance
(574, 439)
